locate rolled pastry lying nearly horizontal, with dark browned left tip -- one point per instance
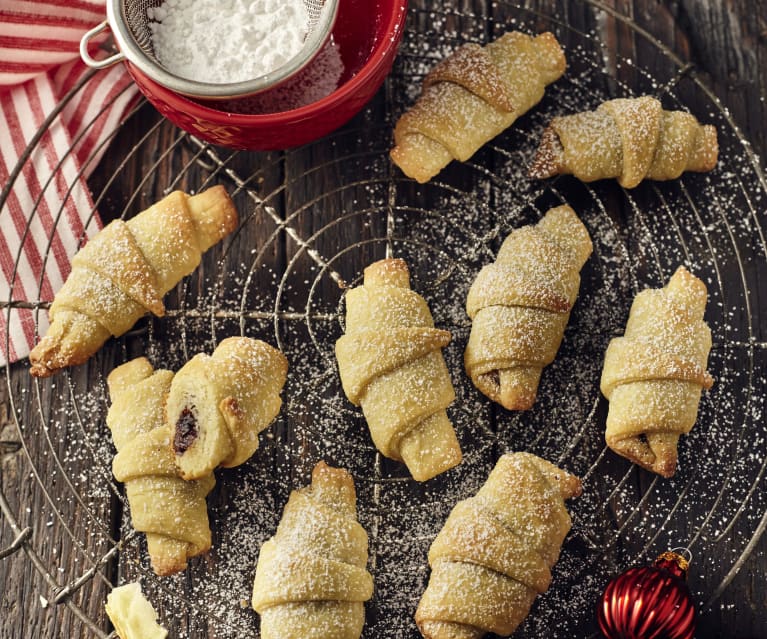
(631, 139)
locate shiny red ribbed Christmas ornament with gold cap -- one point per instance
(653, 602)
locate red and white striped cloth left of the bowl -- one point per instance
(39, 64)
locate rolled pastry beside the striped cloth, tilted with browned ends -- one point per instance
(124, 272)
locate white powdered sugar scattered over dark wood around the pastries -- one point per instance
(447, 233)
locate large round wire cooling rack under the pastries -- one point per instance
(310, 221)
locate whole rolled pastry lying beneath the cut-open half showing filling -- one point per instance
(170, 511)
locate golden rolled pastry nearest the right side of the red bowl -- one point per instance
(471, 97)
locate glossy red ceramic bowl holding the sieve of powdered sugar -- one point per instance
(367, 34)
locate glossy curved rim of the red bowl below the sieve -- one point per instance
(395, 26)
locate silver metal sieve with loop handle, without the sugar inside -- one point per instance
(129, 23)
